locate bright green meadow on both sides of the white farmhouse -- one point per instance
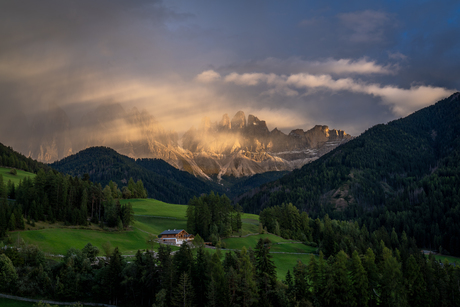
(153, 217)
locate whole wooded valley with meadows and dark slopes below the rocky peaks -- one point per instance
(364, 209)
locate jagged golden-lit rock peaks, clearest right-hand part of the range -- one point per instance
(249, 147)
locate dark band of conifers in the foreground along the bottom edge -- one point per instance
(194, 277)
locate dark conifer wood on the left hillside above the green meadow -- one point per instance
(51, 196)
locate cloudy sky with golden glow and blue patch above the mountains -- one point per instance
(345, 64)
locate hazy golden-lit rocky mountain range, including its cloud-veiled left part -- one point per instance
(237, 146)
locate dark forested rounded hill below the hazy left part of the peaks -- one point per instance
(161, 180)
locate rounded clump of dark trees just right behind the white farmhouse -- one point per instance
(212, 217)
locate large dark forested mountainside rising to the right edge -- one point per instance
(405, 174)
